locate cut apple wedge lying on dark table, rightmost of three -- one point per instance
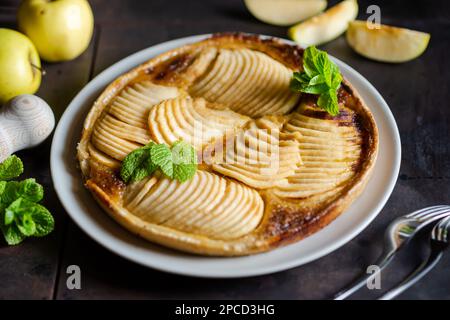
(386, 43)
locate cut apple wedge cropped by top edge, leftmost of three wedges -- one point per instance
(284, 12)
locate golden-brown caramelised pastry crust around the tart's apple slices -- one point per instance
(285, 220)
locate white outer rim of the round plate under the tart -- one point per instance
(77, 103)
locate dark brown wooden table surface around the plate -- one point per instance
(417, 92)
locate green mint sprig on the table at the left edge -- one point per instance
(20, 214)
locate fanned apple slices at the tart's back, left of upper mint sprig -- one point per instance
(248, 82)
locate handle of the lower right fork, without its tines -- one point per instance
(415, 276)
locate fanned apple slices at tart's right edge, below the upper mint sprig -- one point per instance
(330, 150)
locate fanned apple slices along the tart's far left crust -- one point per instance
(123, 127)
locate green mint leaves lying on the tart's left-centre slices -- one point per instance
(178, 162)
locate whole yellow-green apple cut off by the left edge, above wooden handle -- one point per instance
(20, 66)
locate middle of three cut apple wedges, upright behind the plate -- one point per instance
(326, 26)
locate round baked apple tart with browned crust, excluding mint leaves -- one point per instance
(273, 166)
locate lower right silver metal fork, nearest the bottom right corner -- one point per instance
(439, 241)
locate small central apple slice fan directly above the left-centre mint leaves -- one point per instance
(192, 120)
